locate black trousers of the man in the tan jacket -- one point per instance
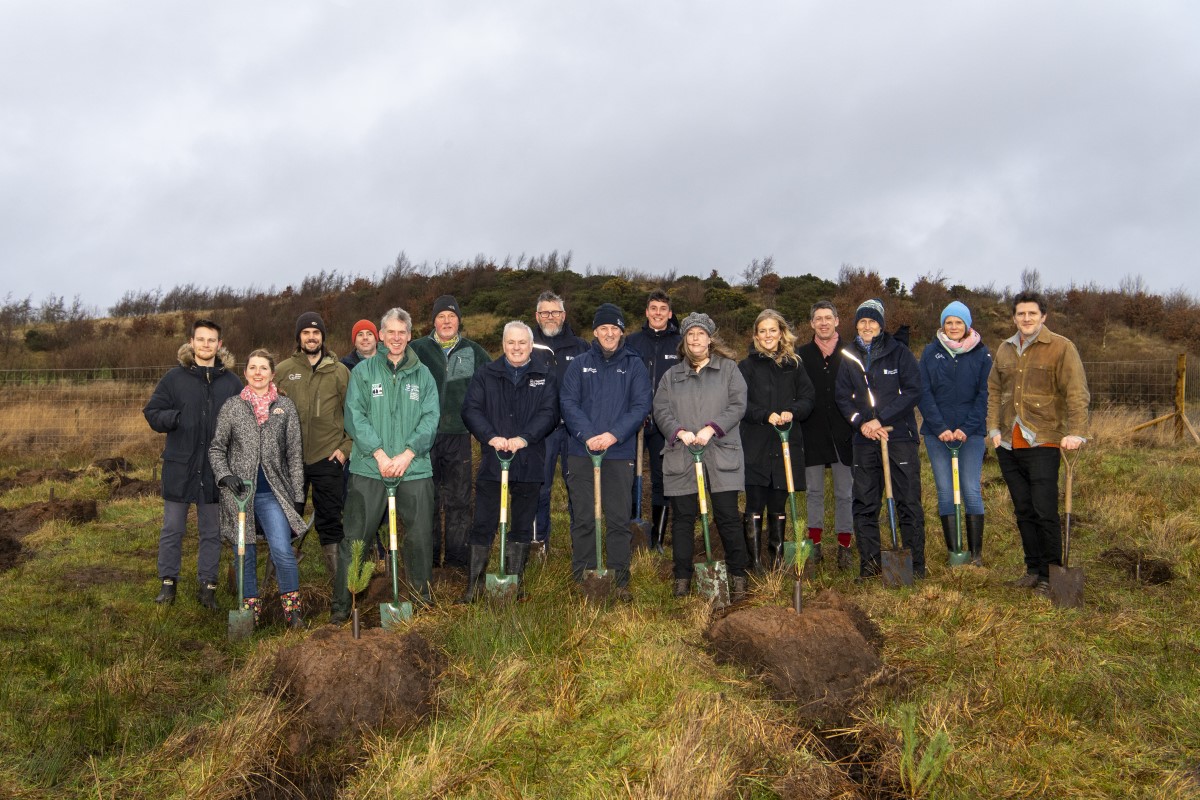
(1033, 478)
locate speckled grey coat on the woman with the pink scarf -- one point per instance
(241, 446)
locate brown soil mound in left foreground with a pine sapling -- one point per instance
(341, 687)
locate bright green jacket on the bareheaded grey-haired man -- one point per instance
(392, 408)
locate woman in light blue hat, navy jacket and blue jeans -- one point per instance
(955, 372)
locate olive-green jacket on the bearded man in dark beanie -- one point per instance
(320, 396)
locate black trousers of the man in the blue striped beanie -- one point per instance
(903, 458)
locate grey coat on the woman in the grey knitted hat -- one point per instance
(688, 401)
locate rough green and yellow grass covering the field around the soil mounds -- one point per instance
(105, 695)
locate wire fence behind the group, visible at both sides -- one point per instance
(98, 413)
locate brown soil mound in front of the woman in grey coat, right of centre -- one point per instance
(819, 659)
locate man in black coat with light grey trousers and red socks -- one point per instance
(827, 436)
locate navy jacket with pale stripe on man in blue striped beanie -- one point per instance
(885, 387)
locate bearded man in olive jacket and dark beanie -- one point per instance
(316, 382)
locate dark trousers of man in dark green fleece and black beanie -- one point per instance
(452, 498)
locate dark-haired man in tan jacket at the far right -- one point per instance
(1037, 406)
